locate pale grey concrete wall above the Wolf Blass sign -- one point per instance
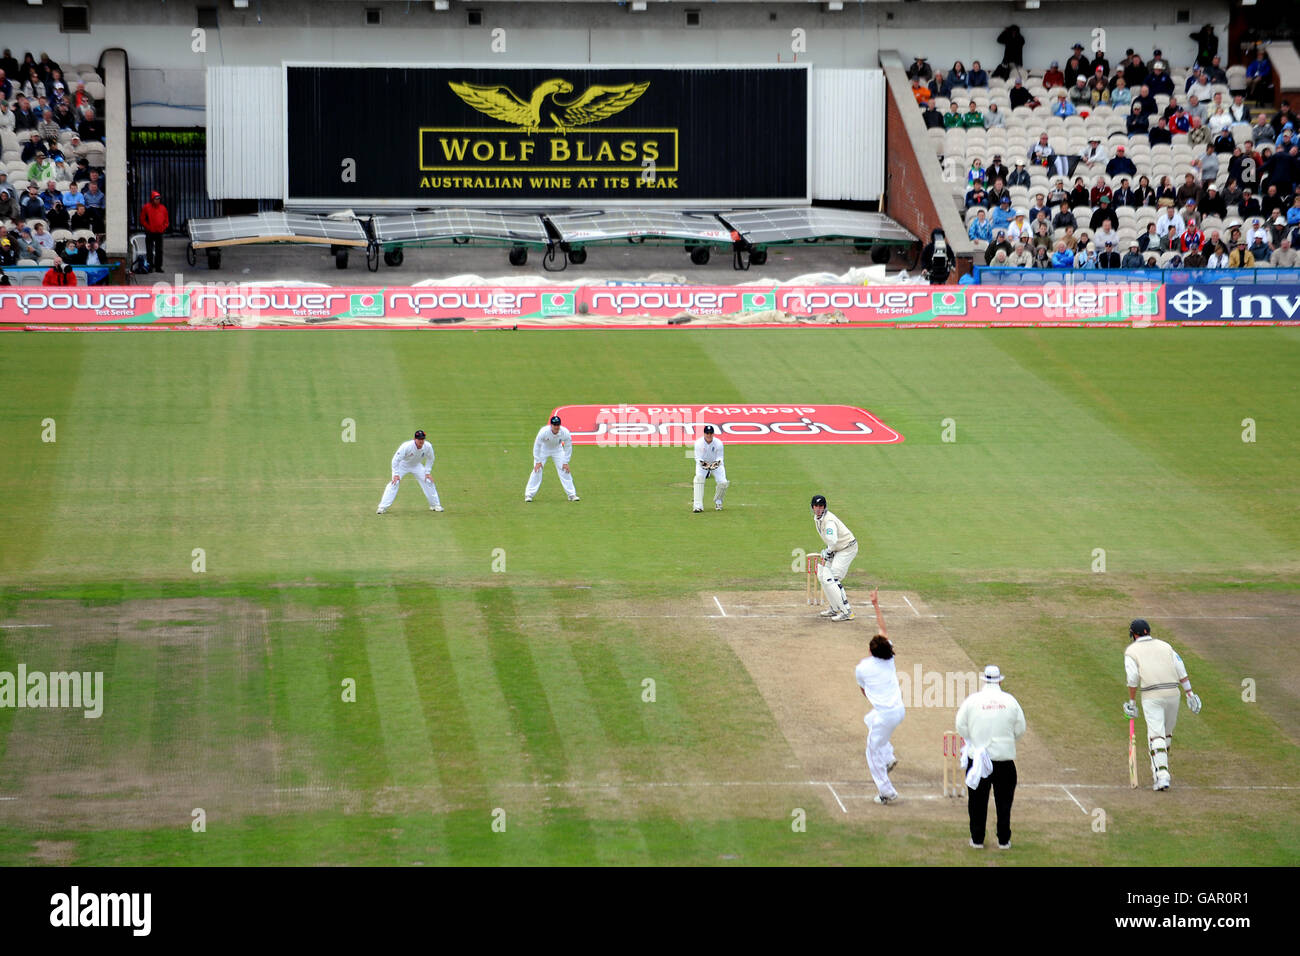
(167, 73)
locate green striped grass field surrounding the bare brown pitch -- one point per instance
(522, 690)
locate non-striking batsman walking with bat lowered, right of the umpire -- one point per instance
(1156, 668)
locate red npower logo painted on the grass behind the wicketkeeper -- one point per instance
(656, 426)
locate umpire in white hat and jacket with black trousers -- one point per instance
(991, 723)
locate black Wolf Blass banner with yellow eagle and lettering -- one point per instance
(435, 136)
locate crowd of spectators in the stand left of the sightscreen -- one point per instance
(53, 152)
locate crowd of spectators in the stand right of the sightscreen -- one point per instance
(1119, 166)
